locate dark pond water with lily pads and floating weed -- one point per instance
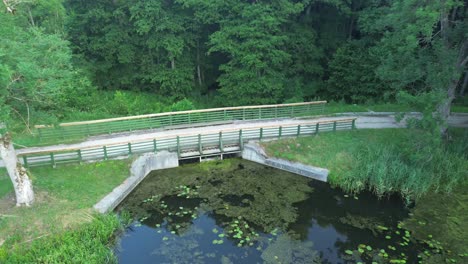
(236, 211)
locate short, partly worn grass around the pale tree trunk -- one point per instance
(64, 197)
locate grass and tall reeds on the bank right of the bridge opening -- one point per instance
(384, 161)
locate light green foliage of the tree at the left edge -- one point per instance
(36, 74)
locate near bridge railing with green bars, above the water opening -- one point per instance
(186, 146)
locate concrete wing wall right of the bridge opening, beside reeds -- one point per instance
(254, 152)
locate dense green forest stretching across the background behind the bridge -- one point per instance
(60, 58)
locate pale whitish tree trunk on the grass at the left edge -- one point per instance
(18, 174)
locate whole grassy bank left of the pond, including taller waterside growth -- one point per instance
(61, 225)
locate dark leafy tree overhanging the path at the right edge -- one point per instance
(422, 48)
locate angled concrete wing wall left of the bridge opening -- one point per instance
(141, 167)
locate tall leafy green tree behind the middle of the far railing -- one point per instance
(253, 44)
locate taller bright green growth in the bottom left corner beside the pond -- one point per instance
(87, 244)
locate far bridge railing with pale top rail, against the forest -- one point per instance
(75, 130)
